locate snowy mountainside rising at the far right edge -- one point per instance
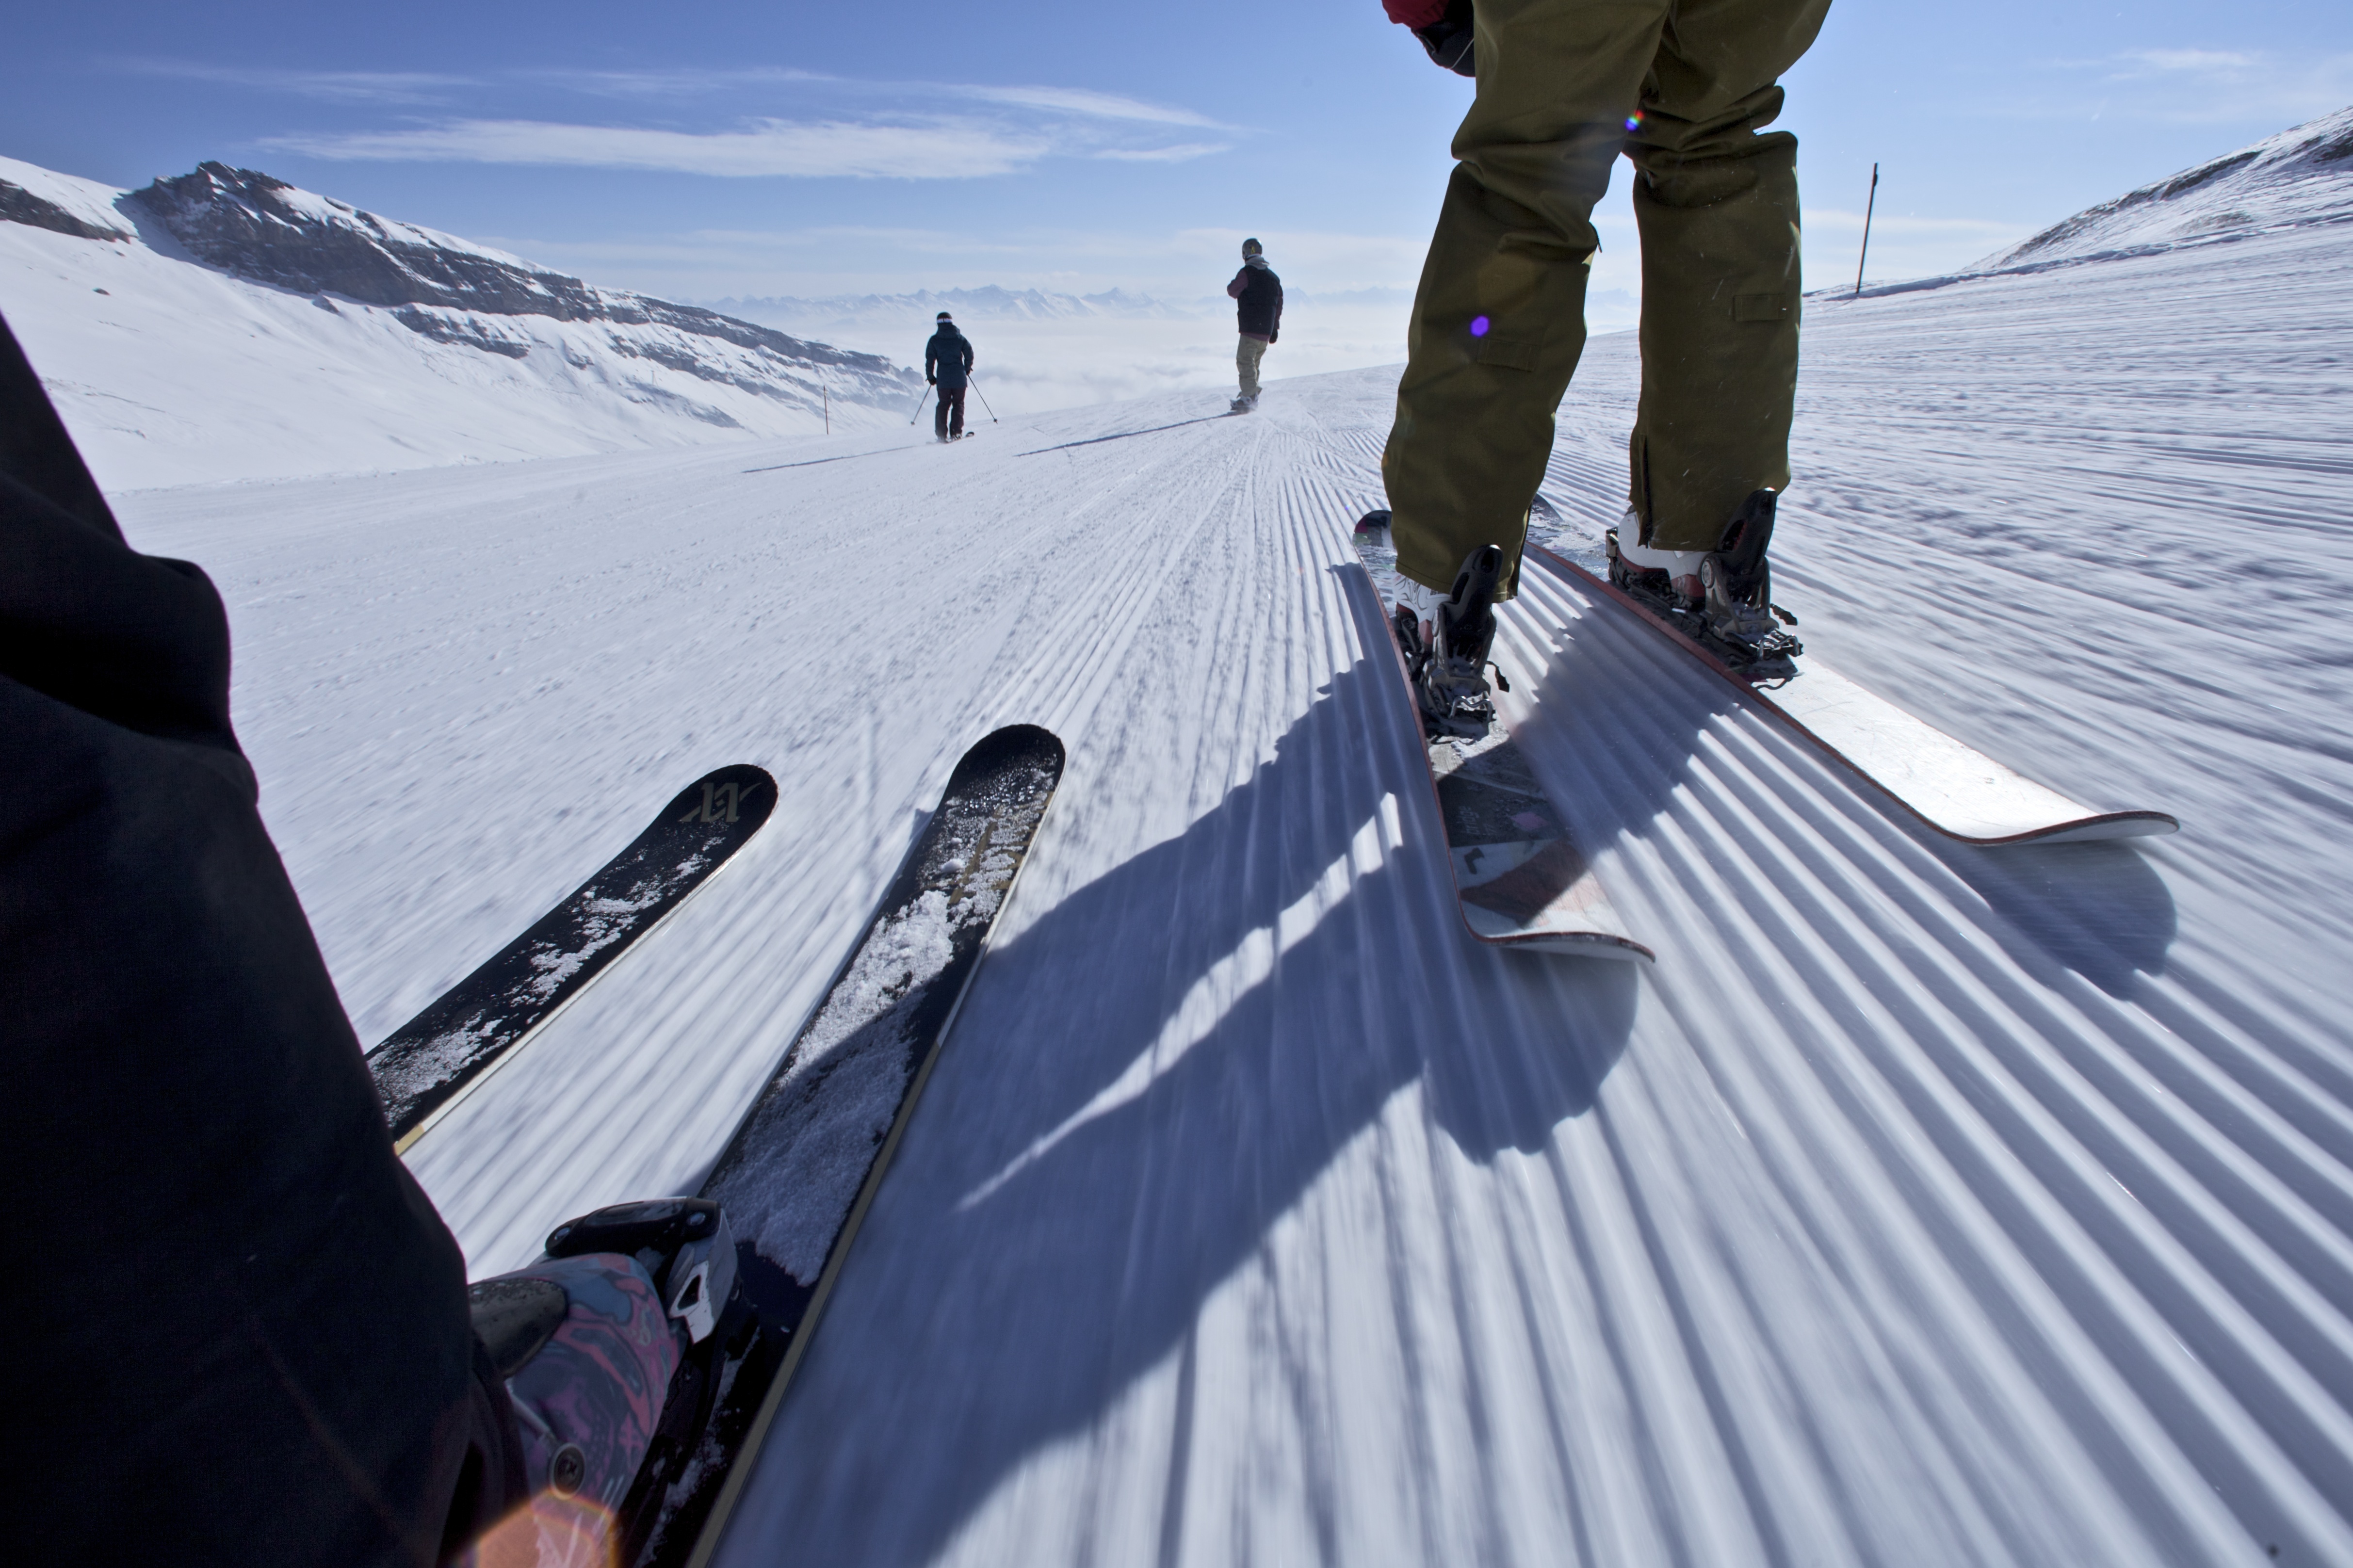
(2293, 180)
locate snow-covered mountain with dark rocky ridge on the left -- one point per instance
(232, 326)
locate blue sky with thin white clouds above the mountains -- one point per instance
(794, 150)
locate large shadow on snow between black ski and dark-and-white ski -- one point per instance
(1145, 1087)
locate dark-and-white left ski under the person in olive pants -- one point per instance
(1519, 875)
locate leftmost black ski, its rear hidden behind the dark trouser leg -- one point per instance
(441, 1054)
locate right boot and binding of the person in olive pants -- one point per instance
(1721, 599)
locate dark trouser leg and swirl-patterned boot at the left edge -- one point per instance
(251, 1338)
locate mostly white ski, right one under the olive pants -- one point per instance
(1947, 785)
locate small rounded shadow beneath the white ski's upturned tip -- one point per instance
(2093, 908)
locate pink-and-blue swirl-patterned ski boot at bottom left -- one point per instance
(613, 1350)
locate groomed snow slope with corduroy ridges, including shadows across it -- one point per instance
(1921, 1207)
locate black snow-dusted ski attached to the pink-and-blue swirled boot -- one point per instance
(808, 1160)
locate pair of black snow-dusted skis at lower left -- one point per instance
(851, 1082)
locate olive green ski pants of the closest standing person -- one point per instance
(1500, 319)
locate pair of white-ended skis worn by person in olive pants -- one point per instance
(1524, 882)
